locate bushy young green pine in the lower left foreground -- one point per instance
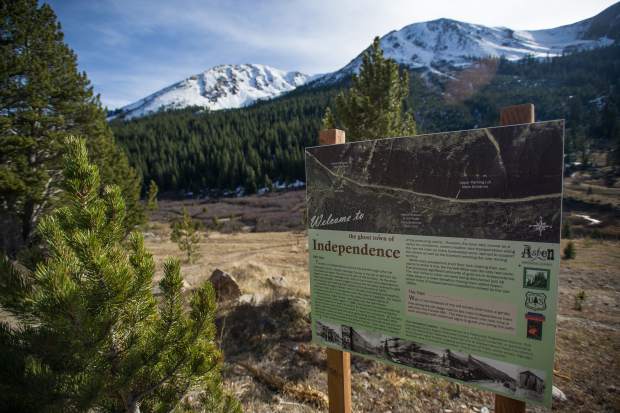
(86, 332)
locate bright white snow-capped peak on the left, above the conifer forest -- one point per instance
(221, 87)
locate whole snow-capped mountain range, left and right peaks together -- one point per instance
(440, 46)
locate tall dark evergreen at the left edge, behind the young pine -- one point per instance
(43, 97)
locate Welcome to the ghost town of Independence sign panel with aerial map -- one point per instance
(441, 253)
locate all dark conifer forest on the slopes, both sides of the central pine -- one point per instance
(190, 149)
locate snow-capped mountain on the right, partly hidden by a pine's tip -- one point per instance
(443, 44)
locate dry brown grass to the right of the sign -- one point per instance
(588, 340)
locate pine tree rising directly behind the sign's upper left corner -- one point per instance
(373, 107)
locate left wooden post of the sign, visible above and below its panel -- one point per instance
(338, 362)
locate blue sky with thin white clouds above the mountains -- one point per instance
(132, 48)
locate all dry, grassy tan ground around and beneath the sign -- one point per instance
(267, 343)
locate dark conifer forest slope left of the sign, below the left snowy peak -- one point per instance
(191, 149)
